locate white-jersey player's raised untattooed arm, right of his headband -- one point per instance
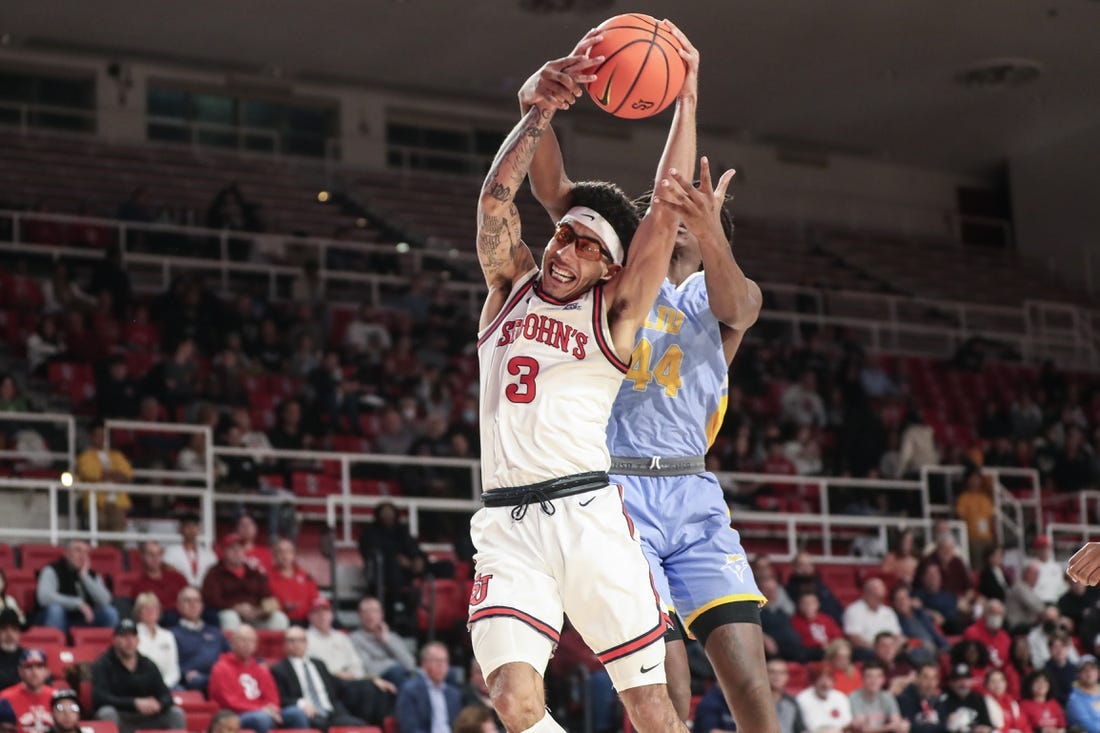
(633, 293)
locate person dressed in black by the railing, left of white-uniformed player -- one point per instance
(392, 553)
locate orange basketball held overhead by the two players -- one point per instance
(643, 71)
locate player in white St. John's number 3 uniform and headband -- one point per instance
(554, 537)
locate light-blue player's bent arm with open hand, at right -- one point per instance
(734, 299)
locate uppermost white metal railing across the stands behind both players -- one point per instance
(888, 323)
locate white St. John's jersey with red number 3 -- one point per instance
(549, 377)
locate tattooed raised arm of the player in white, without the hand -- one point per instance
(503, 255)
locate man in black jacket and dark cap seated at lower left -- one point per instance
(128, 690)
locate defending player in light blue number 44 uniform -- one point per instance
(666, 417)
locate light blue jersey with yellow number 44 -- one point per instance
(674, 398)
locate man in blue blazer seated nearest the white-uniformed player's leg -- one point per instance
(425, 698)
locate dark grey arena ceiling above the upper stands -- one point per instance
(877, 78)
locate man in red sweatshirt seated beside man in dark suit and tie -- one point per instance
(241, 684)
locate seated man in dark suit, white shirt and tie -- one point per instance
(305, 683)
